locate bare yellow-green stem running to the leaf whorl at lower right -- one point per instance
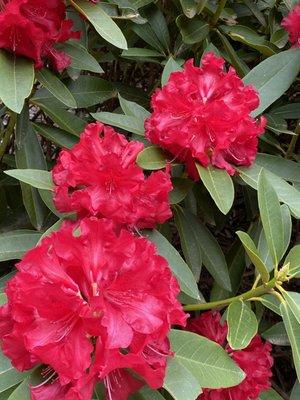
(256, 292)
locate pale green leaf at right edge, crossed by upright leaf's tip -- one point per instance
(285, 192)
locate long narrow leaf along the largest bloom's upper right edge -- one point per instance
(180, 269)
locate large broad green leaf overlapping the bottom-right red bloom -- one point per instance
(208, 362)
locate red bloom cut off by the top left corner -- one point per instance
(31, 28)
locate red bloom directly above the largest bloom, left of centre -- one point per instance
(99, 177)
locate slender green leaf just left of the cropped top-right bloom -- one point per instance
(251, 38)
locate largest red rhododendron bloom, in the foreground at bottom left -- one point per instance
(91, 302)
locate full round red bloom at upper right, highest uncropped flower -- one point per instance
(203, 114)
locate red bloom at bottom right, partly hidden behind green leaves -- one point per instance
(256, 360)
